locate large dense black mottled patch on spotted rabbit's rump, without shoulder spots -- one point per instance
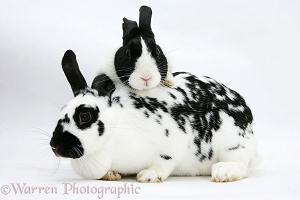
(201, 109)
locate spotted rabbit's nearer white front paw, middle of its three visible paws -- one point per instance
(150, 176)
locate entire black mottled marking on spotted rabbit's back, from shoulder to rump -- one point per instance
(200, 107)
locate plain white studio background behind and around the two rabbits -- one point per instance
(251, 46)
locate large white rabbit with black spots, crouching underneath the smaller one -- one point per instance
(197, 127)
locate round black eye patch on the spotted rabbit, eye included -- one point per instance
(85, 116)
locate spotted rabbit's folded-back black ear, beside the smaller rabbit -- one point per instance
(104, 85)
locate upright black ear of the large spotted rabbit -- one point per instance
(72, 72)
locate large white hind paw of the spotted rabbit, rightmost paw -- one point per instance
(228, 172)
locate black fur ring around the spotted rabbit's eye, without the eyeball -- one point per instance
(94, 113)
